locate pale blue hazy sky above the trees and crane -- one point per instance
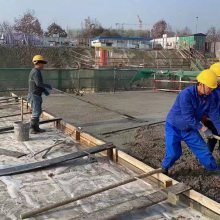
(71, 13)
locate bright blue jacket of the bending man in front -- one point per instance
(189, 107)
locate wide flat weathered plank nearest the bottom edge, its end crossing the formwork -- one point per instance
(118, 210)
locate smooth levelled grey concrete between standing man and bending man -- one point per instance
(146, 106)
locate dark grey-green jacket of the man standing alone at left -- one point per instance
(36, 85)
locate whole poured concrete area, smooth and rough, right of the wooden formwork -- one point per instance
(138, 136)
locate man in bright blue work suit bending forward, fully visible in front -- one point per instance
(183, 123)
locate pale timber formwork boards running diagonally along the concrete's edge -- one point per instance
(194, 199)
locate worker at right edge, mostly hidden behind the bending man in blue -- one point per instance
(216, 95)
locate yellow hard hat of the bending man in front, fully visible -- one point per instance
(208, 78)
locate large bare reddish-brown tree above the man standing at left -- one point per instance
(28, 24)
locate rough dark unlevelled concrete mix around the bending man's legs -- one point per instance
(149, 148)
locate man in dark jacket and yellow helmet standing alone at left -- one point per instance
(36, 88)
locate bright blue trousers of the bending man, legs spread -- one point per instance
(194, 141)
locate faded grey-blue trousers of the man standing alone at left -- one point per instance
(36, 105)
